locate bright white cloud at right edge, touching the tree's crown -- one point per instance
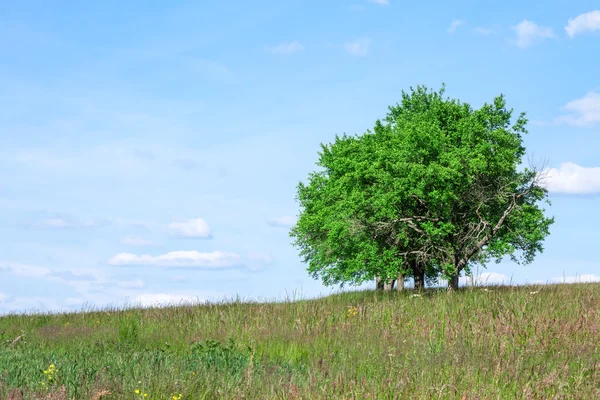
(573, 178)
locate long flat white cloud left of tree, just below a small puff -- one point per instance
(215, 259)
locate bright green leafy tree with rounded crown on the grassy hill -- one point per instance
(433, 190)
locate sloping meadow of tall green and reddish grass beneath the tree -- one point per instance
(531, 342)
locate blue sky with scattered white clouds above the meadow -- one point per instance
(150, 151)
